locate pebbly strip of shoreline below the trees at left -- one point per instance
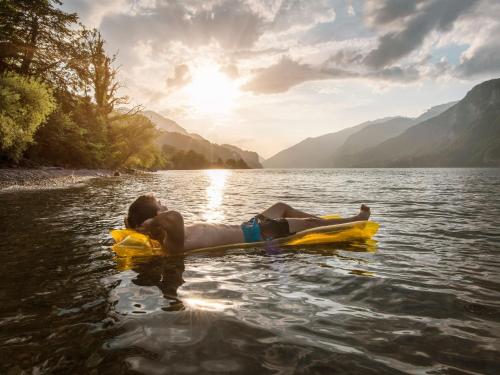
(46, 178)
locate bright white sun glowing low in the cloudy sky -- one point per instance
(212, 91)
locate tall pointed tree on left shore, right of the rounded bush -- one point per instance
(81, 132)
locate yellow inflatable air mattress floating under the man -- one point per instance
(131, 243)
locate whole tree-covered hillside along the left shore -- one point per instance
(60, 98)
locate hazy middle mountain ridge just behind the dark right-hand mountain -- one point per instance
(374, 134)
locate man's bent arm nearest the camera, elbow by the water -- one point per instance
(168, 228)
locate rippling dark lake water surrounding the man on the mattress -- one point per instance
(425, 299)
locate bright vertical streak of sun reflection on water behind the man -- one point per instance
(215, 194)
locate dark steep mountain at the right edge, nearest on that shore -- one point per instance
(465, 135)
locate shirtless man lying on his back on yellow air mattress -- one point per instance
(147, 215)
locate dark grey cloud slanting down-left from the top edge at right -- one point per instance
(431, 15)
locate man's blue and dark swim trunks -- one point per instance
(260, 228)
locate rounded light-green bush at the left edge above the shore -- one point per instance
(24, 104)
